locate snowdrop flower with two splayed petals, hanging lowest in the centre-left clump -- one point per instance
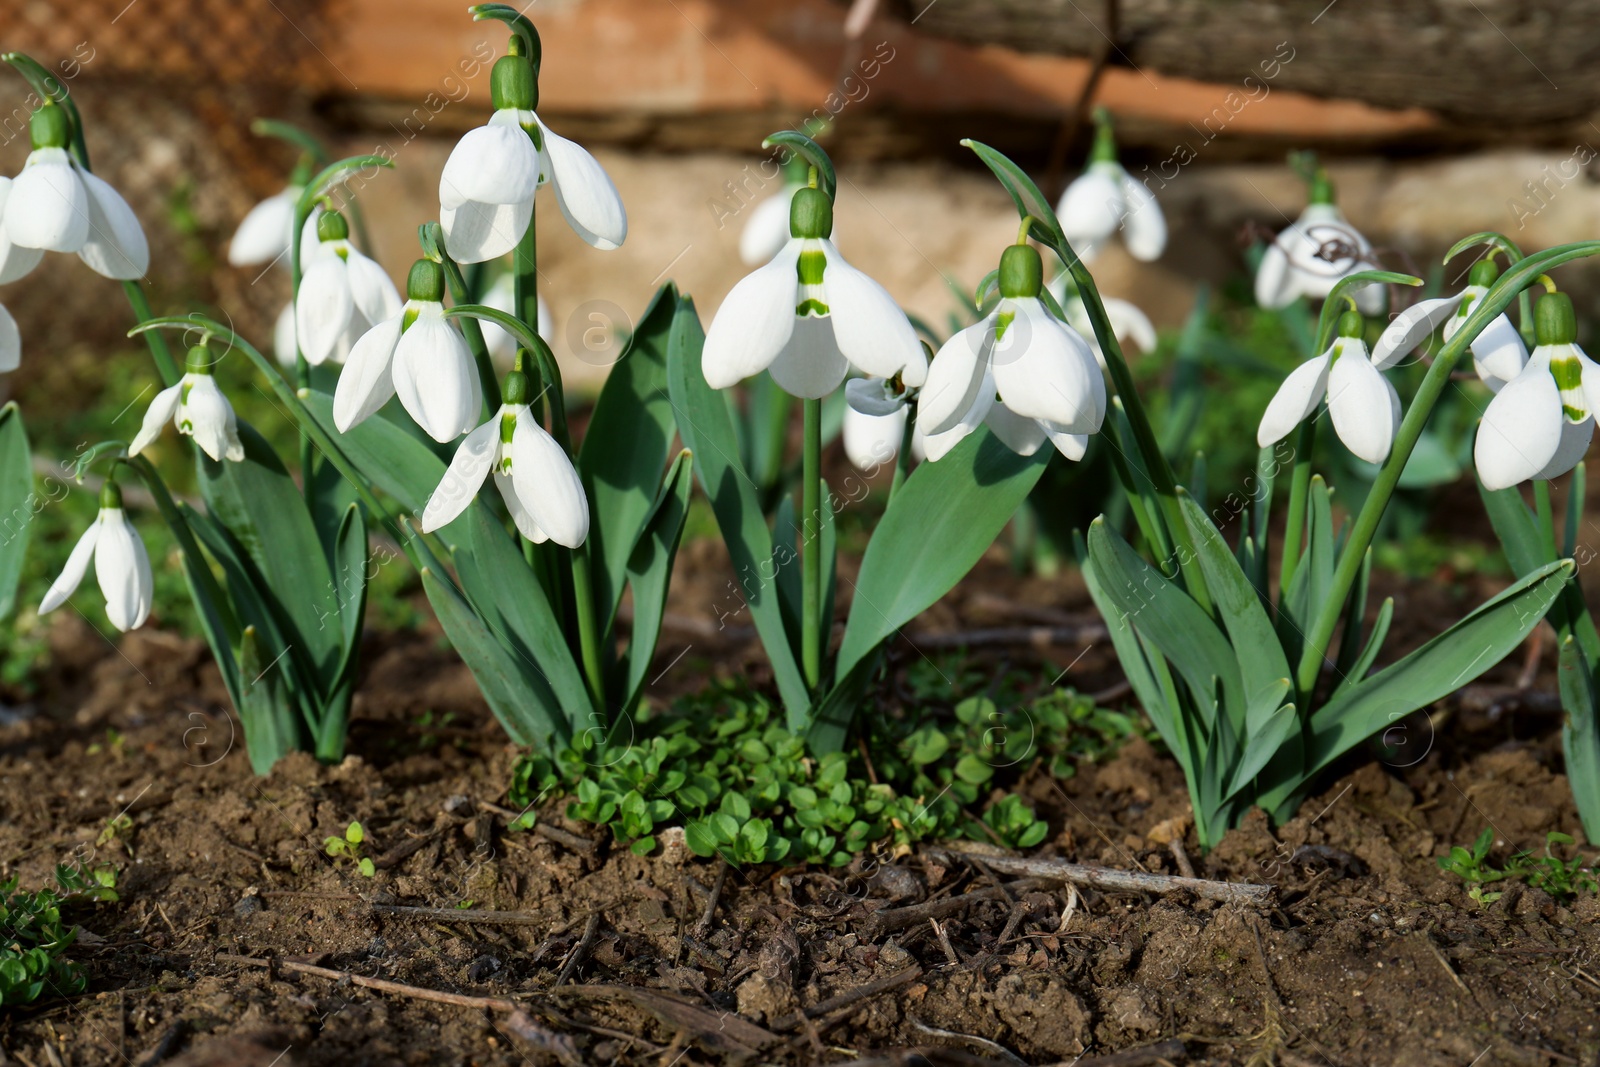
(534, 474)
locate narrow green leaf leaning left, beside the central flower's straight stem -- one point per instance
(706, 430)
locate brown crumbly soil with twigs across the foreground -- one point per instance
(1364, 954)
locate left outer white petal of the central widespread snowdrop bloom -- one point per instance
(754, 322)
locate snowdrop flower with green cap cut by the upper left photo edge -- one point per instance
(57, 206)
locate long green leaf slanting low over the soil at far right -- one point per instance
(1431, 673)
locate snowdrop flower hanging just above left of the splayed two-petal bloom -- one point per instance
(420, 356)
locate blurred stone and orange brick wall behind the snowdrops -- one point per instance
(676, 95)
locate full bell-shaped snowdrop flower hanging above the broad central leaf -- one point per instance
(1022, 372)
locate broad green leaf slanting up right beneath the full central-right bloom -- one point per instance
(940, 524)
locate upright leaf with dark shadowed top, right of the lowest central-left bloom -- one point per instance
(626, 450)
